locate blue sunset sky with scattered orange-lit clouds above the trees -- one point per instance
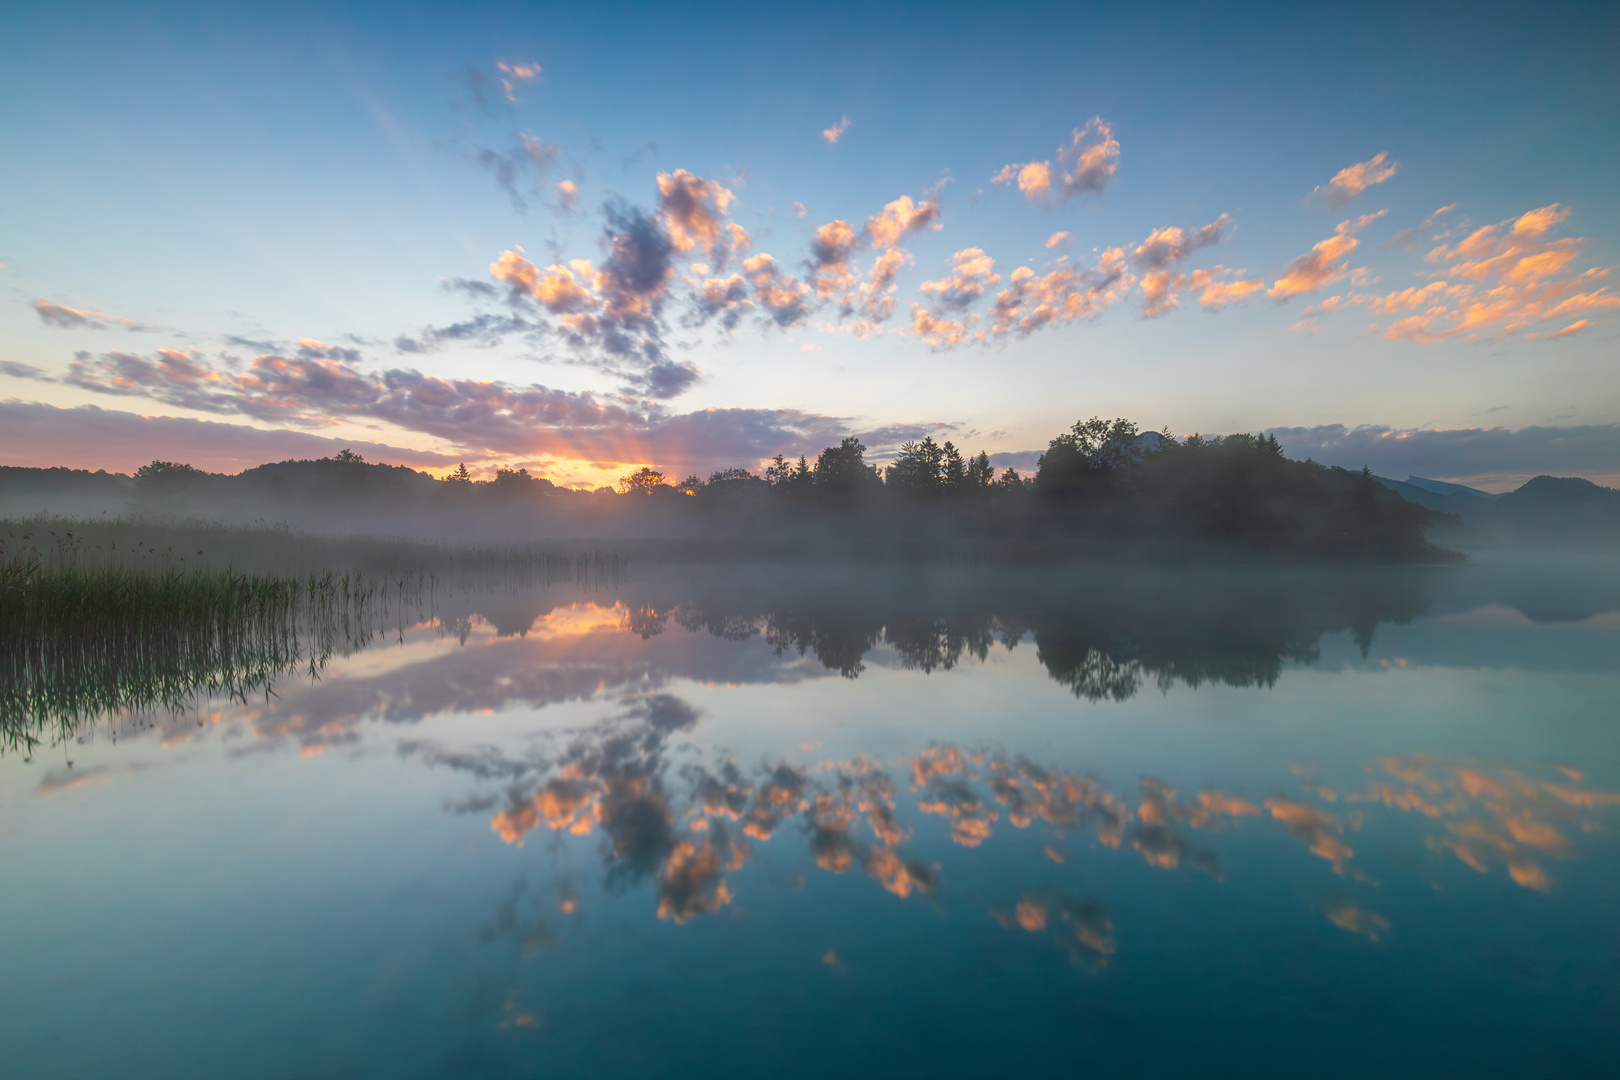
(597, 237)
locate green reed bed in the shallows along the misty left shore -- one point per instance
(108, 619)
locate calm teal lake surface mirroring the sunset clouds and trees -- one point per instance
(791, 823)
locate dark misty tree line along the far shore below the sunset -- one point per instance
(1101, 490)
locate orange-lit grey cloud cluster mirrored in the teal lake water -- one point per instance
(689, 830)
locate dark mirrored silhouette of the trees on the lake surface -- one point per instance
(1104, 645)
